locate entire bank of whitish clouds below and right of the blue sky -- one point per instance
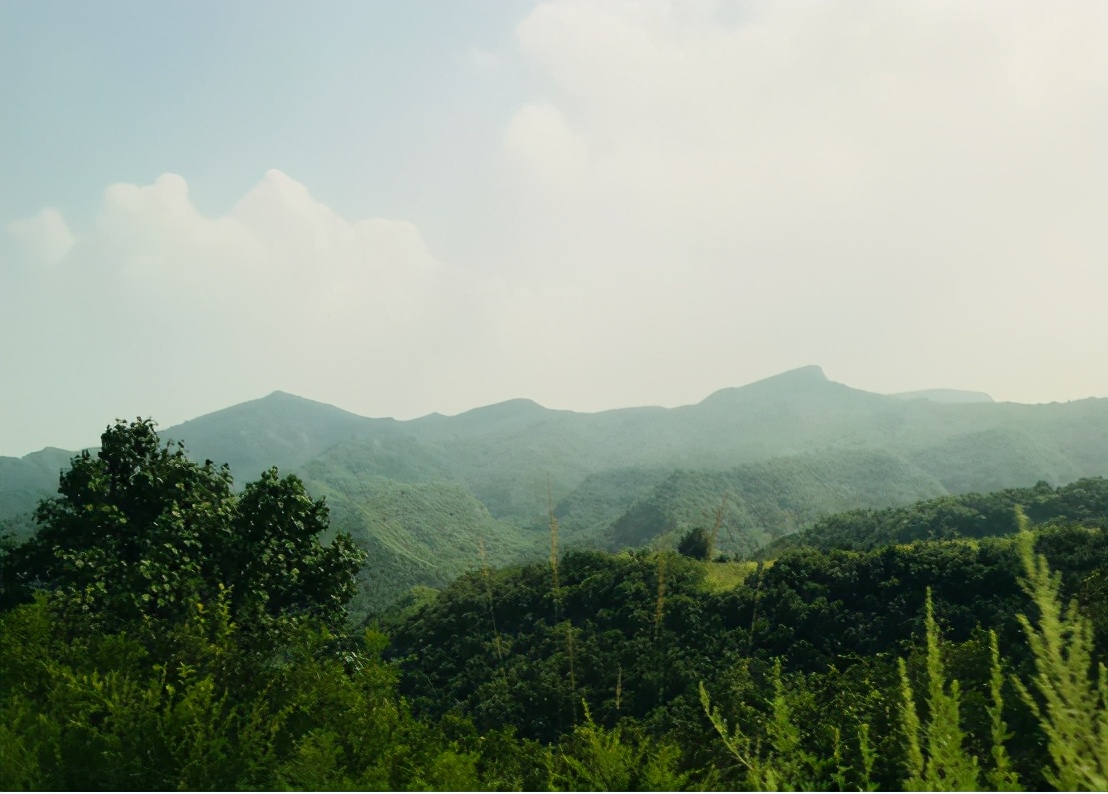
(912, 194)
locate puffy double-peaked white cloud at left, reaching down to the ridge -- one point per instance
(160, 310)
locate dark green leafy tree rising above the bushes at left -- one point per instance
(141, 533)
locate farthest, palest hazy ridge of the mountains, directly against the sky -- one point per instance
(507, 453)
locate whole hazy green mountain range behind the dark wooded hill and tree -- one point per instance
(752, 465)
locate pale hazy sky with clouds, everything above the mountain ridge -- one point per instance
(401, 208)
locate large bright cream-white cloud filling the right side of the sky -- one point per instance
(886, 189)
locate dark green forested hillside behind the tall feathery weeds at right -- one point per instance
(614, 638)
